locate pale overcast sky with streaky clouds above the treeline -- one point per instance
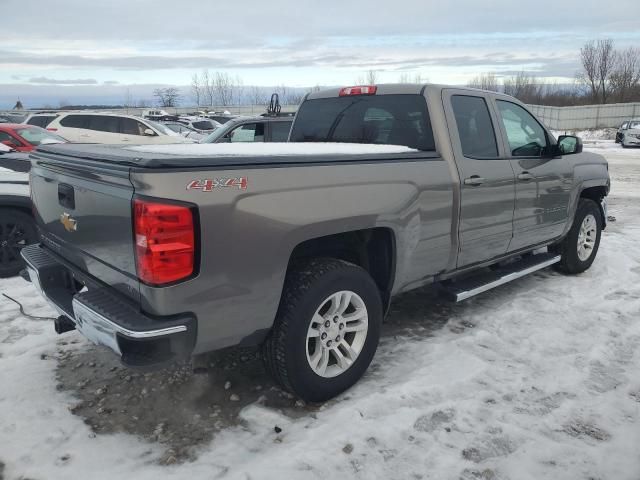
(108, 45)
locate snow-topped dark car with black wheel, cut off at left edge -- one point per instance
(17, 228)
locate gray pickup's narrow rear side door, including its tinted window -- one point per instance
(487, 190)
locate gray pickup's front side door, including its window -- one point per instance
(543, 183)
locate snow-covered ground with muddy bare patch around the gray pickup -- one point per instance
(539, 379)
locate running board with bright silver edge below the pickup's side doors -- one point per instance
(468, 287)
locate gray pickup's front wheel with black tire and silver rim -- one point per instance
(573, 261)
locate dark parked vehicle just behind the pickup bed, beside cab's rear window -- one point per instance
(252, 129)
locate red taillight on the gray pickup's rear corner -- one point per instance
(165, 241)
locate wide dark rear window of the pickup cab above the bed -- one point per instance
(378, 119)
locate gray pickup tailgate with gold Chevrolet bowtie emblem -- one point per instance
(83, 210)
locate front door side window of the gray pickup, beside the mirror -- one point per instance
(526, 136)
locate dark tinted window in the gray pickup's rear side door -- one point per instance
(475, 129)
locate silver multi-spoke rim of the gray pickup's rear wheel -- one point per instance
(337, 334)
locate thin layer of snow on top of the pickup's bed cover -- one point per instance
(272, 149)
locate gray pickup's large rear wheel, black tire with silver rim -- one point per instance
(288, 352)
